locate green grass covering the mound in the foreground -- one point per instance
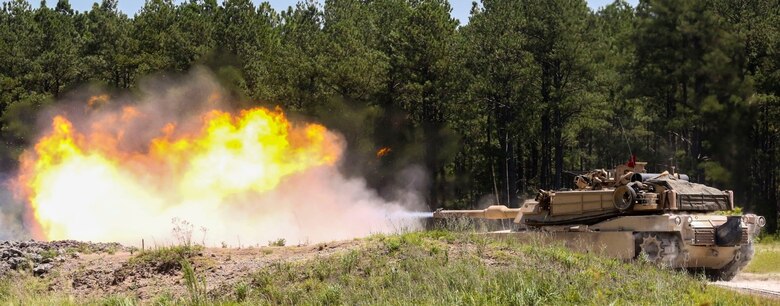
(432, 267)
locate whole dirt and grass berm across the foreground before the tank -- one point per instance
(433, 267)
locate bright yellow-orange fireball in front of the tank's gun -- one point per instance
(82, 184)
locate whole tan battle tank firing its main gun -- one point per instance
(627, 213)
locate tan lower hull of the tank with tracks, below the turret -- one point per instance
(677, 240)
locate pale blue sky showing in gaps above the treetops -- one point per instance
(460, 8)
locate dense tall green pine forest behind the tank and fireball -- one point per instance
(522, 96)
